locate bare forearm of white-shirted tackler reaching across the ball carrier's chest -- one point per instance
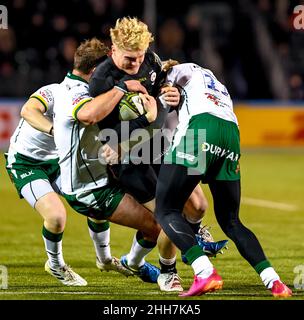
(100, 107)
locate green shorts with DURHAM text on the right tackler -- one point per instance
(211, 147)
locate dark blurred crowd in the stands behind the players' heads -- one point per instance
(250, 45)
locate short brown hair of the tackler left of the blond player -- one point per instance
(89, 54)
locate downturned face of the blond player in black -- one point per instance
(128, 61)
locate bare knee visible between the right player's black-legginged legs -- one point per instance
(196, 204)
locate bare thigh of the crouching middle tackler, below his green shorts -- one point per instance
(131, 214)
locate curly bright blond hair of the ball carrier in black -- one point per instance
(131, 34)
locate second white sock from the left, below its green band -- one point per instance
(101, 241)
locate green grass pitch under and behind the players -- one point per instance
(272, 187)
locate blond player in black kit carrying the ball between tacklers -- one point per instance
(131, 61)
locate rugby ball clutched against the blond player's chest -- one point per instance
(130, 106)
